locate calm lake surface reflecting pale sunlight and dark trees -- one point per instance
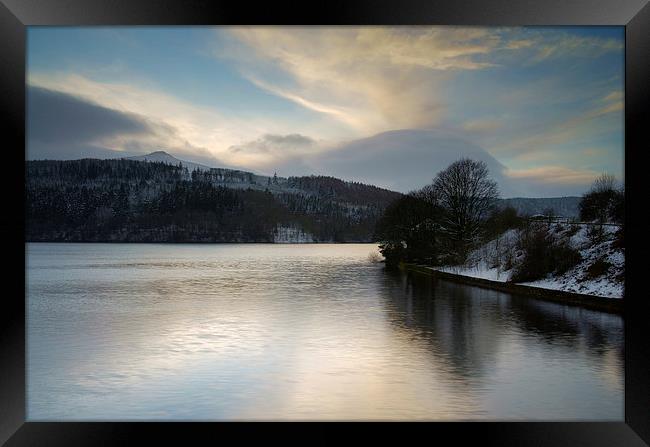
(299, 332)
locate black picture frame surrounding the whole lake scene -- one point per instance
(15, 15)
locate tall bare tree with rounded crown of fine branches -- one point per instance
(467, 194)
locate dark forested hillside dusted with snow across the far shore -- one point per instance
(128, 200)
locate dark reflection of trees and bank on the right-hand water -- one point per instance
(468, 322)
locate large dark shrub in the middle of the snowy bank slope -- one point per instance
(543, 254)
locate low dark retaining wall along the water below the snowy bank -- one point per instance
(611, 305)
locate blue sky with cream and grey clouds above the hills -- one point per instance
(391, 106)
